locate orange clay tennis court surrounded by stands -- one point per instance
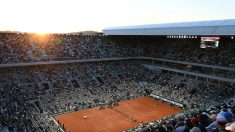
(144, 109)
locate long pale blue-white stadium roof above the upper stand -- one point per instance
(215, 27)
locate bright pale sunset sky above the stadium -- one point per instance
(57, 16)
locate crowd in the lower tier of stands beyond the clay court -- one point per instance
(42, 91)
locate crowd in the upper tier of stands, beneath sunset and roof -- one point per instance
(18, 48)
